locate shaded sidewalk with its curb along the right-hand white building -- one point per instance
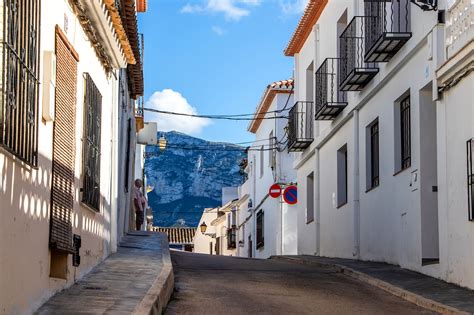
(425, 291)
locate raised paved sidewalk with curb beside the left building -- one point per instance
(138, 279)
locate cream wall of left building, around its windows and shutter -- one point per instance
(25, 192)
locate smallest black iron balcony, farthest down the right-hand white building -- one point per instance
(300, 126)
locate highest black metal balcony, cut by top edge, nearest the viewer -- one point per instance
(387, 28)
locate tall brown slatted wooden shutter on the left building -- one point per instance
(64, 146)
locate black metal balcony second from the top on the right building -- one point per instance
(354, 72)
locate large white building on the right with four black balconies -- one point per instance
(381, 158)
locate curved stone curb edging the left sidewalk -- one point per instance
(159, 294)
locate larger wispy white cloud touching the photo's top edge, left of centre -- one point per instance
(232, 9)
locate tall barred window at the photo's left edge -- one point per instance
(20, 66)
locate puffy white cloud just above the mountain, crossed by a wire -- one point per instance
(172, 101)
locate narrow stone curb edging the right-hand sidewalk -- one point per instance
(387, 287)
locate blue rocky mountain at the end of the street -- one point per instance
(188, 176)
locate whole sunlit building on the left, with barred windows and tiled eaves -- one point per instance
(62, 130)
